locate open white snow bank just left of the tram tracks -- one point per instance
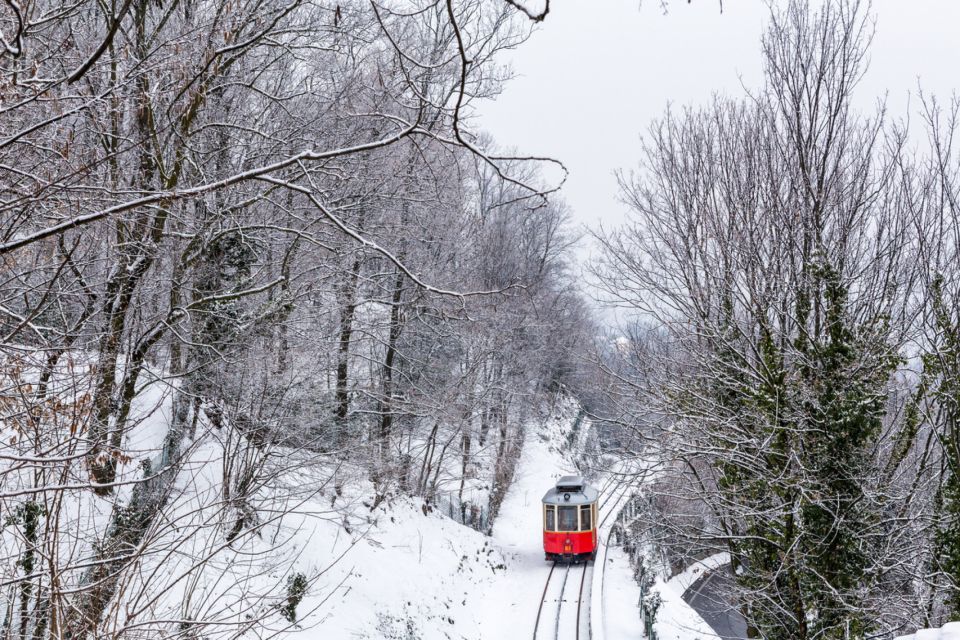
(411, 574)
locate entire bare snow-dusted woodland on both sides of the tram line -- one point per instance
(268, 229)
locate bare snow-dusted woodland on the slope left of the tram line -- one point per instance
(274, 218)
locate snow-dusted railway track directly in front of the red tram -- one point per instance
(563, 613)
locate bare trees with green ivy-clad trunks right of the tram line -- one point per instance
(793, 262)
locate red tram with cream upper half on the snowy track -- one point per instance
(570, 520)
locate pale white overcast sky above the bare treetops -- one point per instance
(597, 72)
